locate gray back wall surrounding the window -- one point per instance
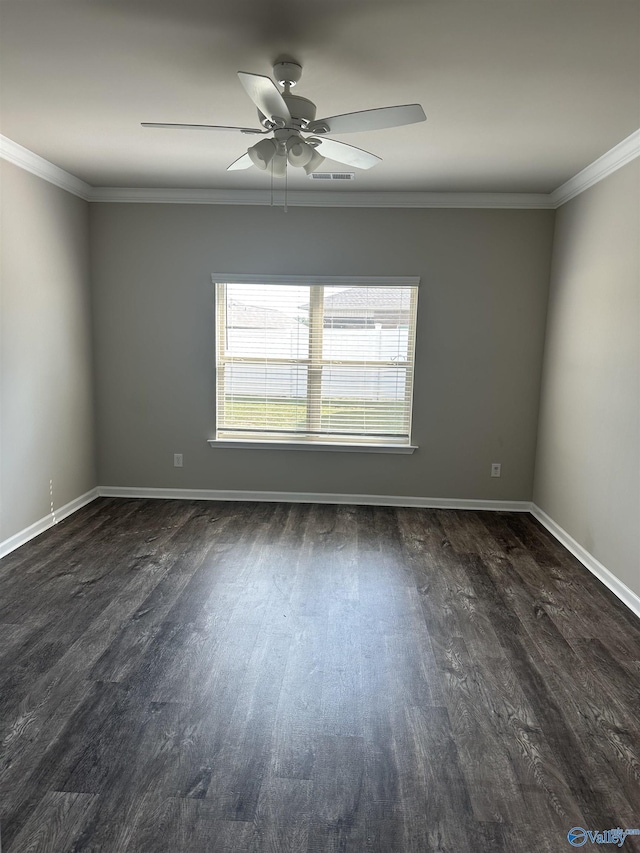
(482, 311)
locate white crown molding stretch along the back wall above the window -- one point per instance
(321, 198)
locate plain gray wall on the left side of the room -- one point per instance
(46, 411)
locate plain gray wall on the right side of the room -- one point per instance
(588, 461)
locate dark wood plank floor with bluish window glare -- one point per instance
(194, 676)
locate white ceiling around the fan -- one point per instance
(520, 95)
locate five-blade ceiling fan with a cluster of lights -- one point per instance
(295, 135)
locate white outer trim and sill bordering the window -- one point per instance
(314, 443)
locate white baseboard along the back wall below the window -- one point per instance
(312, 497)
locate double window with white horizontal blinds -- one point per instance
(319, 361)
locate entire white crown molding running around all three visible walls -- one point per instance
(614, 159)
